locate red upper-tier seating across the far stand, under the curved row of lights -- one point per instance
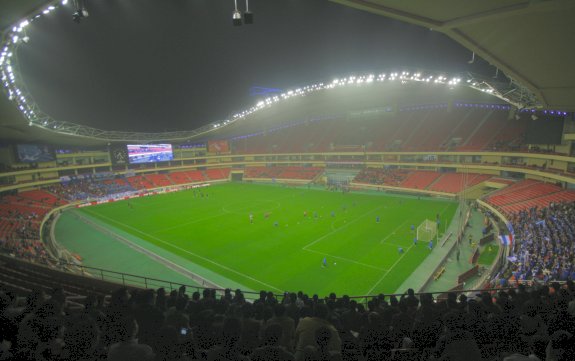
(407, 130)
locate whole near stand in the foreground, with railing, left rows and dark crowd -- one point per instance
(379, 325)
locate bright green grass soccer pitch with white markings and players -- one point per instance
(215, 232)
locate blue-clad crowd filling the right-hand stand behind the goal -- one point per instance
(545, 243)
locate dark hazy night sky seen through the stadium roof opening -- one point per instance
(156, 65)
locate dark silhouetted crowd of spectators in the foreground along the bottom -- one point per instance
(518, 324)
